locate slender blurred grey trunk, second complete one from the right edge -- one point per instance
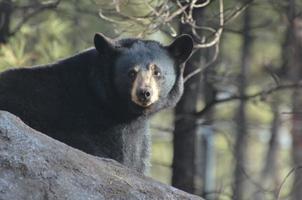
(241, 138)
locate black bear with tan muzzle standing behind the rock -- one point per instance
(101, 99)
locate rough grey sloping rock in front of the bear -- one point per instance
(34, 166)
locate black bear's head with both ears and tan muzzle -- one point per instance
(144, 72)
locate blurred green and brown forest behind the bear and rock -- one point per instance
(237, 131)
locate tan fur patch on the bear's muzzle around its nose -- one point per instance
(145, 79)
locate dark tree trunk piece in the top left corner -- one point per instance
(6, 8)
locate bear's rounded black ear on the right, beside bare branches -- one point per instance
(181, 48)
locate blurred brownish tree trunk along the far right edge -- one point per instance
(292, 52)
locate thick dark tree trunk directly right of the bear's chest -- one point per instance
(184, 149)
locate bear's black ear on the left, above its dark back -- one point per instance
(103, 44)
